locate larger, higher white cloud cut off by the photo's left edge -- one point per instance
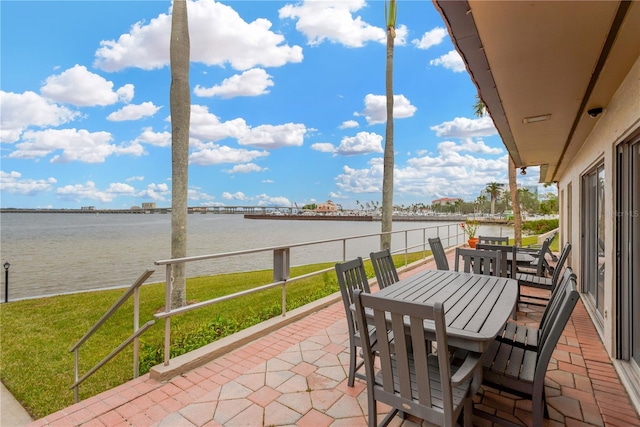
(19, 111)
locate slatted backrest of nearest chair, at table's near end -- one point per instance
(407, 357)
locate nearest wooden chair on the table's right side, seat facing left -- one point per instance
(521, 371)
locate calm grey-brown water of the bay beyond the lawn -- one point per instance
(58, 253)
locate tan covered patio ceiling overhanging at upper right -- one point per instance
(540, 66)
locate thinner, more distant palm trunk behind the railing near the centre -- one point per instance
(387, 177)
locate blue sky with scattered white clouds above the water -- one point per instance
(287, 101)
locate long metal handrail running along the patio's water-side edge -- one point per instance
(281, 270)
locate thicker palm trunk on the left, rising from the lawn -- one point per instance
(180, 106)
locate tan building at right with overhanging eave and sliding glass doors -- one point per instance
(561, 81)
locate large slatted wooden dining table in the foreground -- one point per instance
(476, 306)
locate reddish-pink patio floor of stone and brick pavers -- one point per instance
(296, 376)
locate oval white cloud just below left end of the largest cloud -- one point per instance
(80, 87)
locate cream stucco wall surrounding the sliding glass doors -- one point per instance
(619, 120)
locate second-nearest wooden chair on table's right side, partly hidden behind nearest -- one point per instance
(528, 336)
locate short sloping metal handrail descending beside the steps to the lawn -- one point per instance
(137, 331)
